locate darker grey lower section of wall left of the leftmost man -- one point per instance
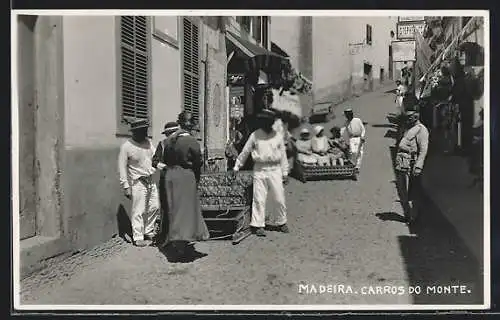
(93, 197)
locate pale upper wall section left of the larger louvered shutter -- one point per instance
(90, 87)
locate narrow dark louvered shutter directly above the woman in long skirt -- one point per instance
(191, 67)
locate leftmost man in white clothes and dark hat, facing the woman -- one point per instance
(136, 170)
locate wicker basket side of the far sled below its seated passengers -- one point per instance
(305, 172)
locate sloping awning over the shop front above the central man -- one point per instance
(259, 58)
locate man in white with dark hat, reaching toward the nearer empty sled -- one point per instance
(268, 151)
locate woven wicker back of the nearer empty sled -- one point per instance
(224, 190)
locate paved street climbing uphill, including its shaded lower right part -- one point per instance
(342, 233)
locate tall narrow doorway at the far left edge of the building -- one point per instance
(27, 128)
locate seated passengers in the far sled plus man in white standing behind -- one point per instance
(345, 144)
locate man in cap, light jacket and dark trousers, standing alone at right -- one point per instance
(410, 158)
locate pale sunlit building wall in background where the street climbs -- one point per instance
(342, 56)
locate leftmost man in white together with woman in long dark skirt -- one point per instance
(175, 201)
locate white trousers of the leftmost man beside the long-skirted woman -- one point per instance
(145, 209)
